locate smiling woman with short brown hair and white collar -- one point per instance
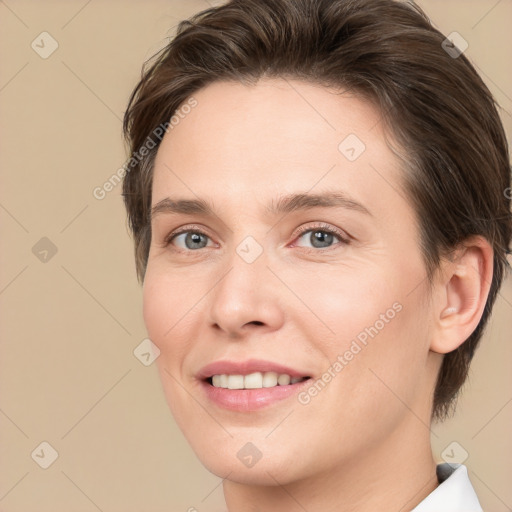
(321, 233)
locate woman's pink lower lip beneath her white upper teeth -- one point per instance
(246, 400)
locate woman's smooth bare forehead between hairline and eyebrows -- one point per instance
(243, 142)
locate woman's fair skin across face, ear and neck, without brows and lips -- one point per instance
(362, 443)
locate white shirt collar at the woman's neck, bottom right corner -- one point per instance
(454, 493)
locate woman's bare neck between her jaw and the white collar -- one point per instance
(394, 477)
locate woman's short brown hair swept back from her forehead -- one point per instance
(434, 103)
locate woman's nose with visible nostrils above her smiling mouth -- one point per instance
(246, 297)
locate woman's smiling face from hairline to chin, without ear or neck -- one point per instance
(332, 290)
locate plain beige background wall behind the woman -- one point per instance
(69, 326)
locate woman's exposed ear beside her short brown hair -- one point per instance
(461, 293)
